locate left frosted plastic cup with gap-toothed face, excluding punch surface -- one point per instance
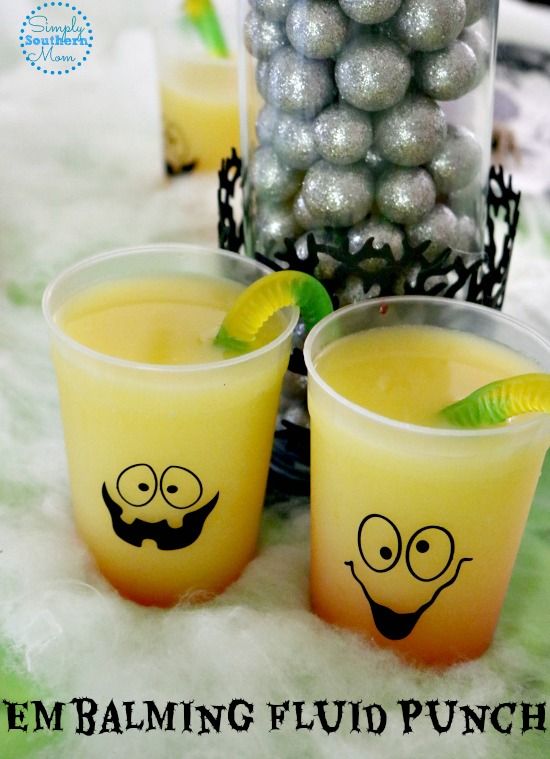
(132, 430)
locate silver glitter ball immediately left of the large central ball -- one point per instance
(299, 85)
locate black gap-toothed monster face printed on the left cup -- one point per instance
(180, 489)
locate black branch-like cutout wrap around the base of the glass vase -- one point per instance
(369, 272)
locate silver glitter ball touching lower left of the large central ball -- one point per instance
(343, 134)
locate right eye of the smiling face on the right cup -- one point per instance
(429, 553)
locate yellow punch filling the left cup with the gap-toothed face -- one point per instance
(161, 442)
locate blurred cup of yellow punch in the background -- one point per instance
(200, 113)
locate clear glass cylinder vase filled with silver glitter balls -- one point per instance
(367, 123)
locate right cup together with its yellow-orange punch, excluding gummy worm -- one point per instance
(415, 527)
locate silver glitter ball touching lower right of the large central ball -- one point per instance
(411, 132)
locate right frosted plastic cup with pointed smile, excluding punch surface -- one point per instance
(388, 488)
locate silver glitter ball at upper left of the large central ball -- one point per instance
(317, 28)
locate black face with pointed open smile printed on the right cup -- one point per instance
(429, 556)
